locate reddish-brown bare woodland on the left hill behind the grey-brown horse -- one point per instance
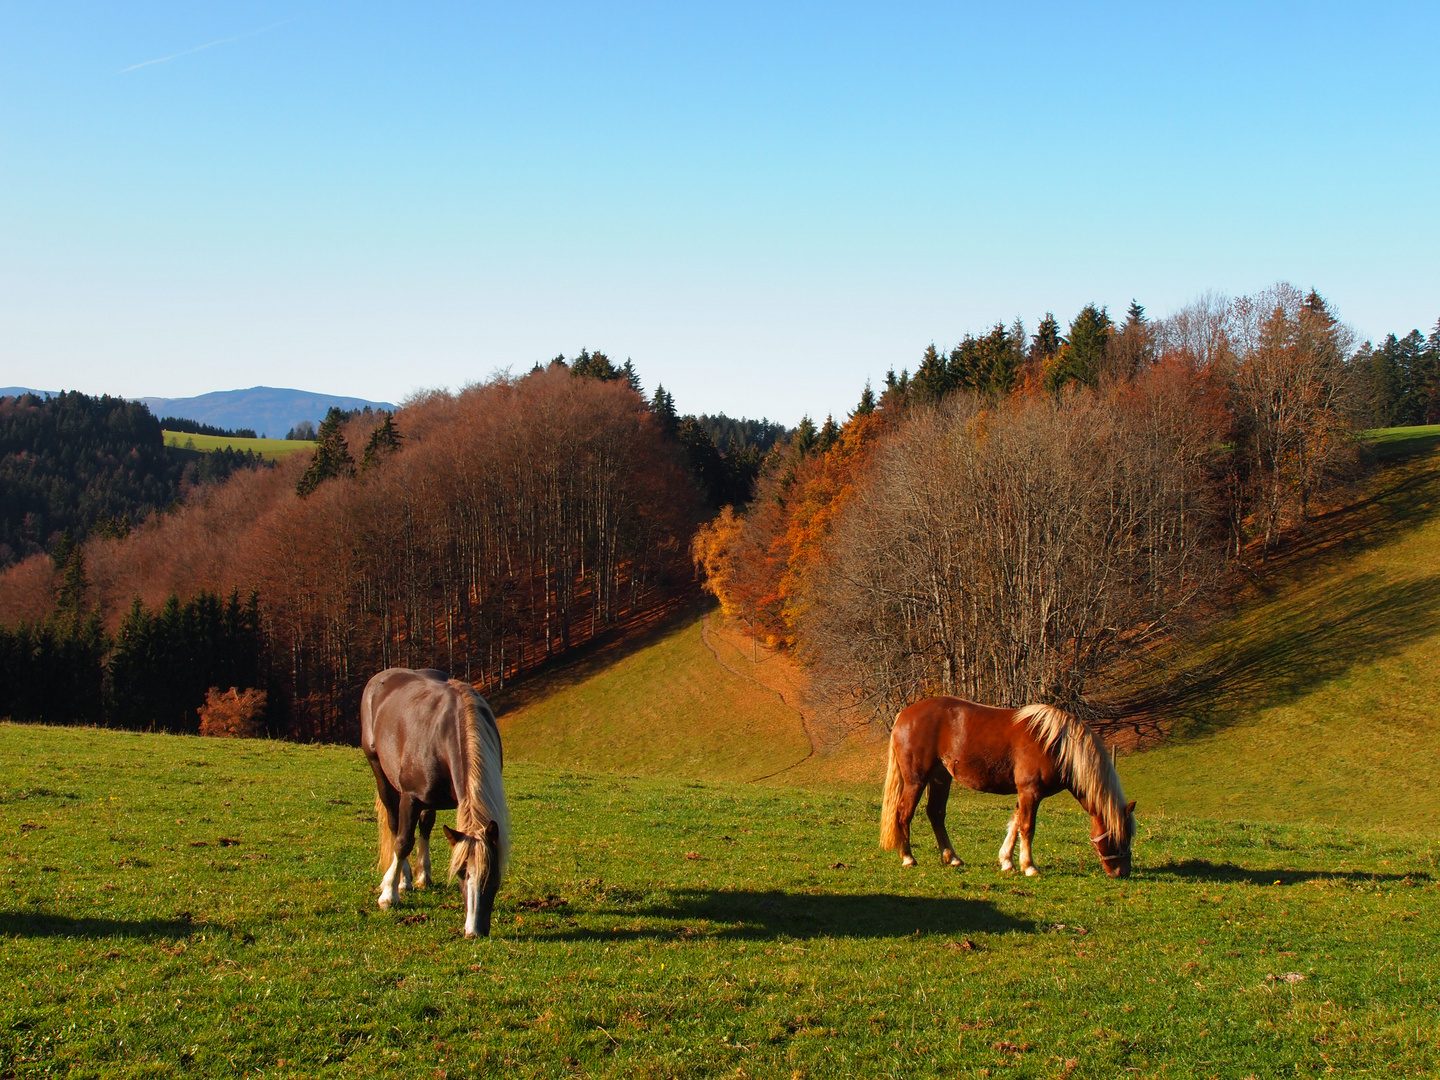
(485, 534)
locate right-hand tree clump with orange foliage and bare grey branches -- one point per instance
(1023, 516)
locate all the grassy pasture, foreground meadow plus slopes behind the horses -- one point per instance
(178, 906)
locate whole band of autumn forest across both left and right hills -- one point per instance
(1020, 519)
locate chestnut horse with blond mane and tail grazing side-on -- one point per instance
(1032, 752)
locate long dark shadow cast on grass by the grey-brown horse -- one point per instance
(744, 915)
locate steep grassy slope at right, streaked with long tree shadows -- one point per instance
(1320, 699)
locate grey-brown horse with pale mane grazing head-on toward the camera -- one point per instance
(434, 745)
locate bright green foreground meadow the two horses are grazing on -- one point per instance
(185, 906)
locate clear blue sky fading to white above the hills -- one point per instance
(761, 205)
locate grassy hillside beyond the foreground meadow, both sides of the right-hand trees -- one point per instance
(1315, 699)
